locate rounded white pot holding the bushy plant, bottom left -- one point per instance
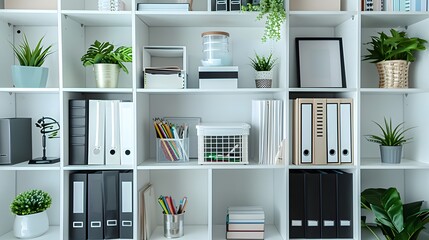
(31, 226)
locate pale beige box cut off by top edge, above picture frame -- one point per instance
(315, 5)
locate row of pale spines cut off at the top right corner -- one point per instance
(395, 5)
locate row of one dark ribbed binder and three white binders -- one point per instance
(101, 132)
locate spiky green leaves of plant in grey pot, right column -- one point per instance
(391, 136)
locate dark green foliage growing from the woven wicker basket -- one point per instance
(397, 46)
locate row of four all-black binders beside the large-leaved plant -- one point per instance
(320, 204)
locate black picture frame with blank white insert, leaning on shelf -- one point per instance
(320, 62)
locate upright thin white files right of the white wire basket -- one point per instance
(267, 127)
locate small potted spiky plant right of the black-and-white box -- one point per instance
(263, 66)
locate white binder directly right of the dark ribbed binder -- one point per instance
(96, 132)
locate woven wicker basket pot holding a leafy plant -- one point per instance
(393, 73)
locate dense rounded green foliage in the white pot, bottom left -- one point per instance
(31, 202)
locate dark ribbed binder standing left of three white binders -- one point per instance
(78, 132)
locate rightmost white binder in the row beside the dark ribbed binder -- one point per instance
(126, 127)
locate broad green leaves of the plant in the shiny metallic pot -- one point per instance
(103, 52)
